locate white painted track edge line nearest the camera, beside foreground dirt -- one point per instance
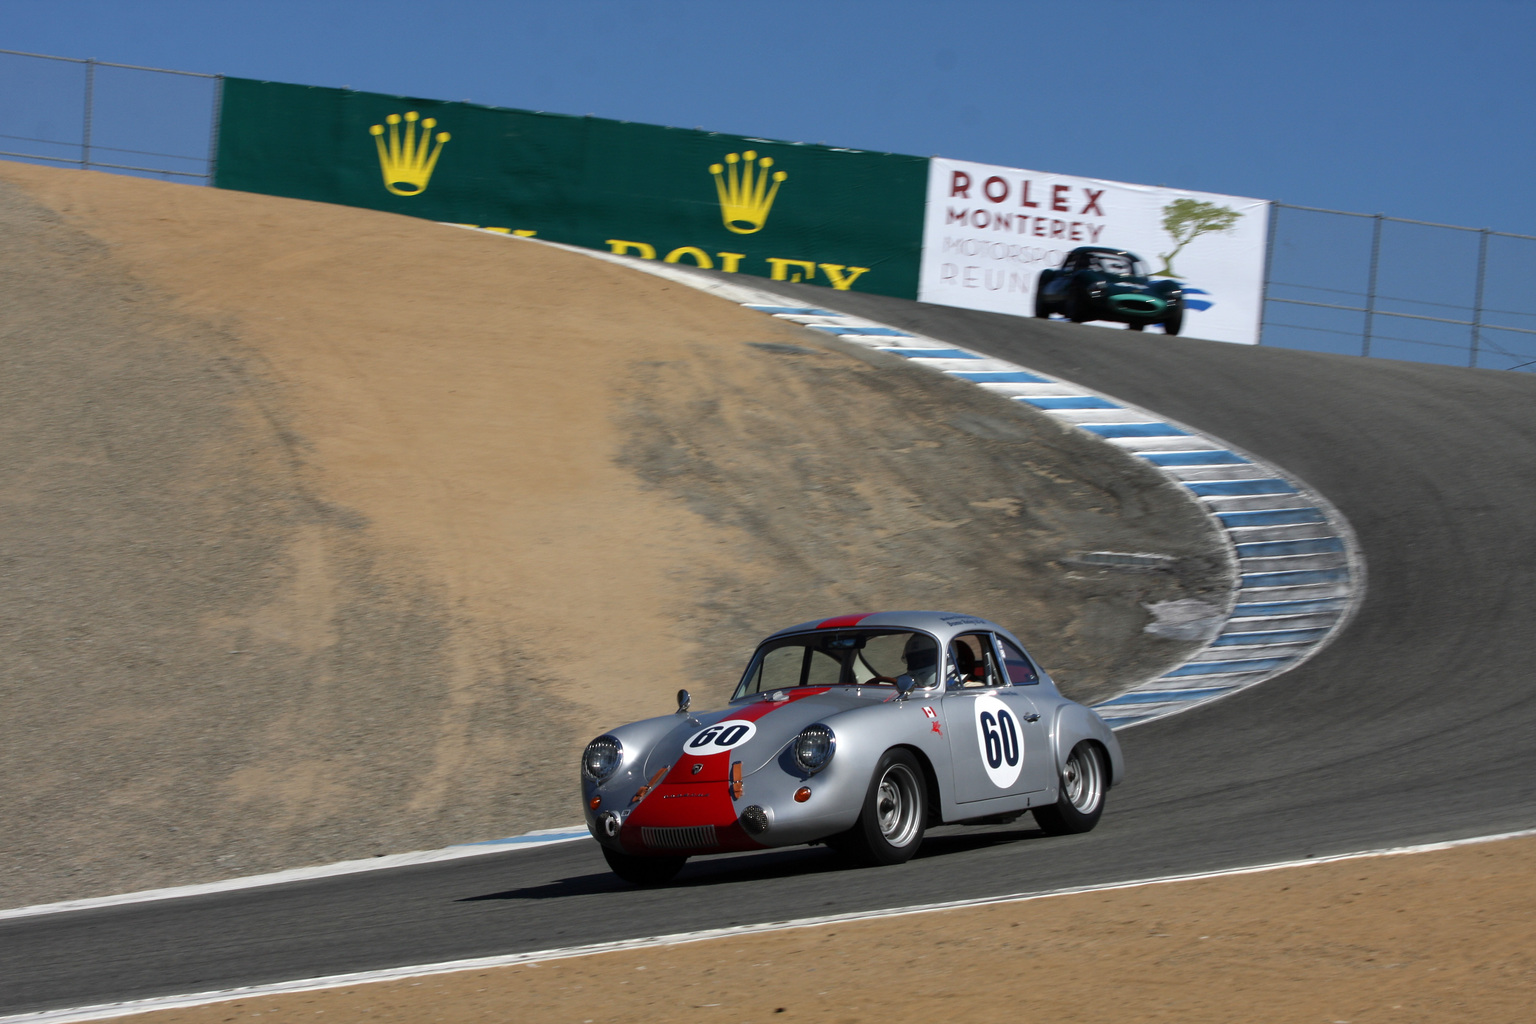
(108, 1011)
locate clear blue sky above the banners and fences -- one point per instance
(1412, 110)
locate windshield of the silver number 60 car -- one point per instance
(841, 658)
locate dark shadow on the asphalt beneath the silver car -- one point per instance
(770, 865)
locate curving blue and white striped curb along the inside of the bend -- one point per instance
(1299, 567)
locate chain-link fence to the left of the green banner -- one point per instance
(147, 122)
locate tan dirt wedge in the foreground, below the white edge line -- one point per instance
(1417, 939)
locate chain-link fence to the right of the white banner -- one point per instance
(1386, 286)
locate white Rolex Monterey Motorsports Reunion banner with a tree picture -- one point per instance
(988, 233)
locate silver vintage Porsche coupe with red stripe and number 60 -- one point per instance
(859, 733)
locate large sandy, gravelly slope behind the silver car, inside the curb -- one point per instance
(333, 533)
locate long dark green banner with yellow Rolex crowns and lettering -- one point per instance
(784, 211)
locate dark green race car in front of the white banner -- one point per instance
(1097, 283)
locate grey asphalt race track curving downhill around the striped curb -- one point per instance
(1417, 725)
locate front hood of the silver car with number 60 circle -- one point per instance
(770, 727)
